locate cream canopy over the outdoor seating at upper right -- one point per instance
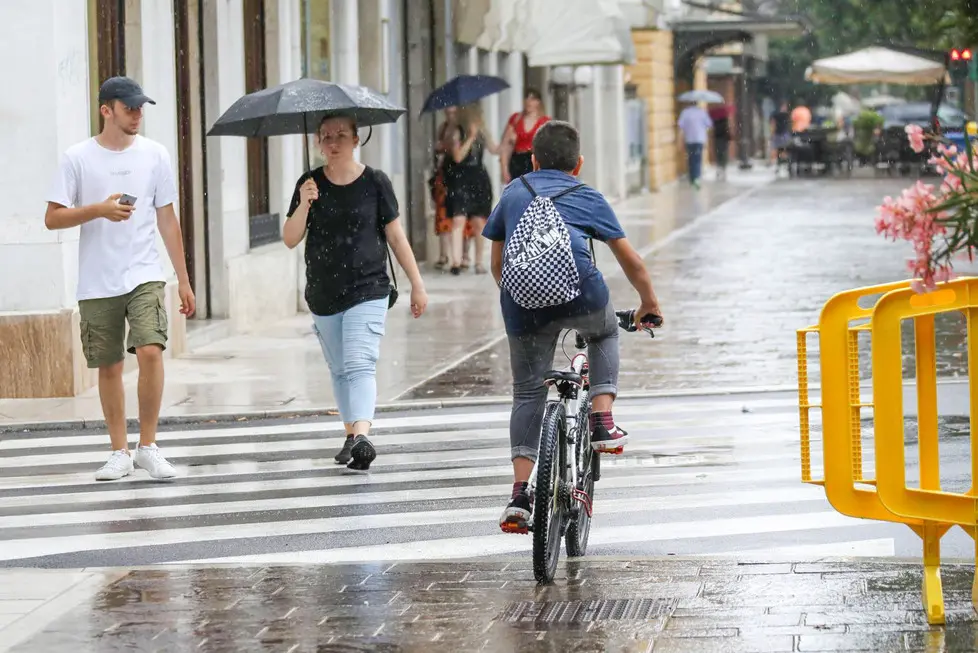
(876, 65)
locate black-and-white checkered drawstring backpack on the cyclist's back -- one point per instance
(538, 265)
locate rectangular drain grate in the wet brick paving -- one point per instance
(580, 612)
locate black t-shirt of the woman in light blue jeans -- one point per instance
(346, 247)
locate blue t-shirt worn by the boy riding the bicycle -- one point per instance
(586, 213)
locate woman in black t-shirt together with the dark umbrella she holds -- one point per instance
(348, 215)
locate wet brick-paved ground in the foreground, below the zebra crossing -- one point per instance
(595, 605)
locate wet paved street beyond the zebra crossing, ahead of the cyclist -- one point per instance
(736, 286)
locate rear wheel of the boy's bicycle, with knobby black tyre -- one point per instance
(548, 502)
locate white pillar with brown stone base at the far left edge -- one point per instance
(39, 339)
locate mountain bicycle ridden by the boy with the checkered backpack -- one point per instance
(567, 465)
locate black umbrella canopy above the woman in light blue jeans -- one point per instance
(298, 107)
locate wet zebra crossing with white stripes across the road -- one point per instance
(701, 476)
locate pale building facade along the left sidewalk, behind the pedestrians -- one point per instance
(195, 58)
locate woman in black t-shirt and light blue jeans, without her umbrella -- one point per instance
(348, 214)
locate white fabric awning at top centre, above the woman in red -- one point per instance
(553, 32)
